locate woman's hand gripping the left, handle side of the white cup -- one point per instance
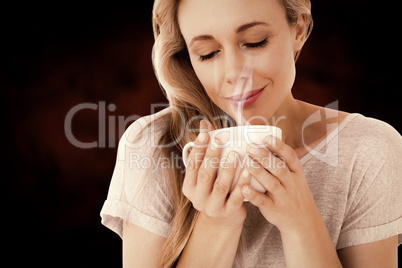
(208, 192)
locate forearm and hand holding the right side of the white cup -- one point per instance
(289, 205)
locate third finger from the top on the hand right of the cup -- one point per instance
(271, 183)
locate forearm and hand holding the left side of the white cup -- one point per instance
(215, 238)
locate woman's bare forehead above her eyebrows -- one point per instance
(220, 16)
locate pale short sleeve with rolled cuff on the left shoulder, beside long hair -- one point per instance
(138, 191)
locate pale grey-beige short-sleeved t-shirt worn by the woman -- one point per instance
(355, 176)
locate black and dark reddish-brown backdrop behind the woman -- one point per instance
(56, 57)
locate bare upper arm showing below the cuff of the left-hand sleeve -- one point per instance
(141, 248)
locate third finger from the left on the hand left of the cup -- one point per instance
(223, 182)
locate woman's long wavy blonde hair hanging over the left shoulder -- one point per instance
(188, 100)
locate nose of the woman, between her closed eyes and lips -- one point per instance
(237, 67)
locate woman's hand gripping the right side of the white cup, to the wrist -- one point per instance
(288, 202)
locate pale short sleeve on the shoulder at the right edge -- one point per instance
(374, 206)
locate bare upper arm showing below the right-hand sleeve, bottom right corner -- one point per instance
(382, 253)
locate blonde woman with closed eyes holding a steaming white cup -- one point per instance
(341, 210)
